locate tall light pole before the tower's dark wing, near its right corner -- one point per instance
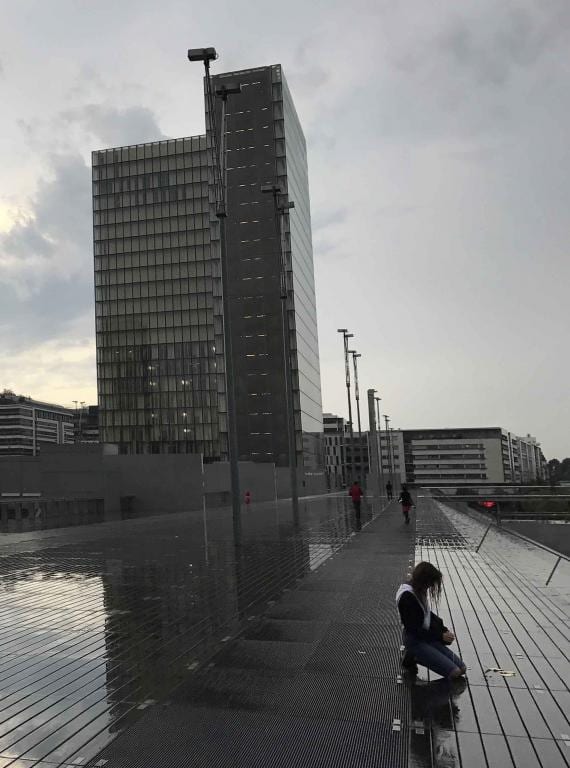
(281, 205)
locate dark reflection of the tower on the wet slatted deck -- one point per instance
(167, 612)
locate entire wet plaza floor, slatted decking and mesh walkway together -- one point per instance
(169, 642)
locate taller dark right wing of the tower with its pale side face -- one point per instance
(265, 145)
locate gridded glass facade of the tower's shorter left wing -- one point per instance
(157, 372)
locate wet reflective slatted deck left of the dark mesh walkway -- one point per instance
(99, 629)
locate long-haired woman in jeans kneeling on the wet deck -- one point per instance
(426, 638)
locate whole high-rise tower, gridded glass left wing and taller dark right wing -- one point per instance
(158, 309)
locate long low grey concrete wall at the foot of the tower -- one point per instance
(155, 483)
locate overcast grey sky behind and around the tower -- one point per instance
(439, 160)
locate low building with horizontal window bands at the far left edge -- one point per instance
(26, 424)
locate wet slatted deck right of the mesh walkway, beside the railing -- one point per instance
(505, 619)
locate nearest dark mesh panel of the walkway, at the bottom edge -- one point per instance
(211, 738)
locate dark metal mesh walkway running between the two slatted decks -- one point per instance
(314, 681)
